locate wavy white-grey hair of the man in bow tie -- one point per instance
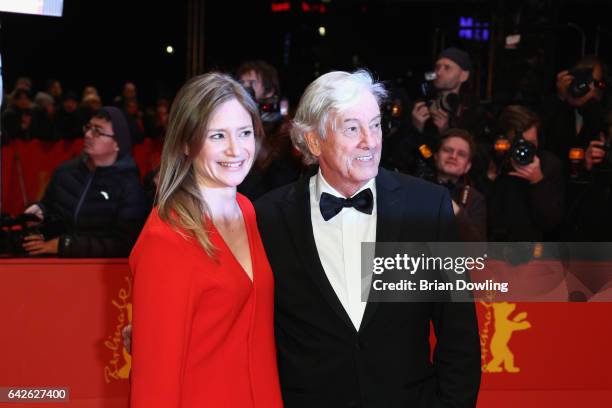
(326, 97)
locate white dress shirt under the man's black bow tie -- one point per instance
(338, 242)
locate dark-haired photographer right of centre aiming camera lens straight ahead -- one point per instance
(525, 195)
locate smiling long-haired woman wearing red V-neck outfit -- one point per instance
(203, 289)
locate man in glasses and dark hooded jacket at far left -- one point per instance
(94, 206)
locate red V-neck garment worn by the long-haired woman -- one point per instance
(203, 334)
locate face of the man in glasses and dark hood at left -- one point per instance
(100, 144)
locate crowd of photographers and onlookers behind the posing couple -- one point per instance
(523, 168)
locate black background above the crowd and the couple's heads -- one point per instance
(107, 43)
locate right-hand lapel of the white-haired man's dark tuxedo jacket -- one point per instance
(388, 226)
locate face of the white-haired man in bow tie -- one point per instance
(349, 156)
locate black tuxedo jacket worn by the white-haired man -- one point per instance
(323, 361)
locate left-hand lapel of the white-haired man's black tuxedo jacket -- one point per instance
(297, 216)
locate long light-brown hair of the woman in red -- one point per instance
(179, 200)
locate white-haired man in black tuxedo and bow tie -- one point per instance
(335, 350)
